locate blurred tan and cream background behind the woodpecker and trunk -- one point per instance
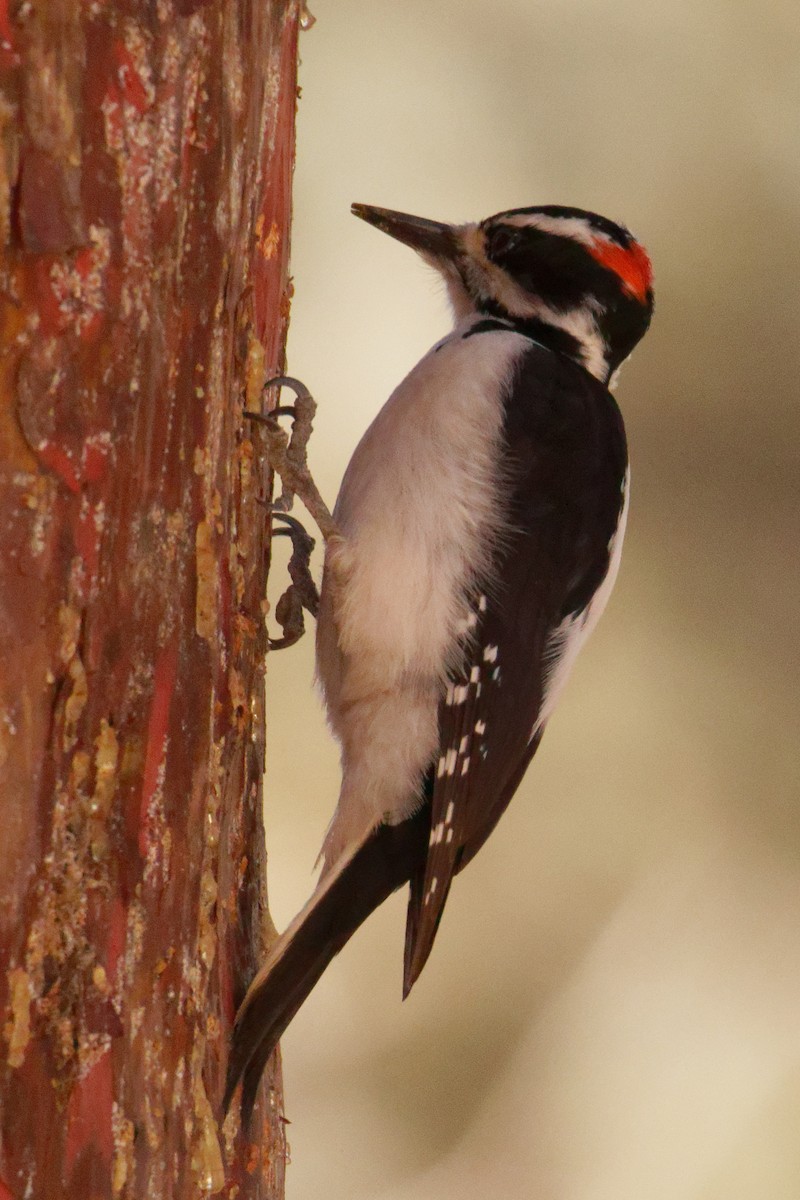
(612, 1010)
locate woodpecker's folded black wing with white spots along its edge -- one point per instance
(566, 455)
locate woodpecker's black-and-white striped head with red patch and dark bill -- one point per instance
(587, 280)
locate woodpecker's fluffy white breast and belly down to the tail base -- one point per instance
(420, 513)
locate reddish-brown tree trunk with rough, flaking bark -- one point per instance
(146, 161)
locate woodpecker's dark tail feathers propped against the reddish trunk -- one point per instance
(345, 898)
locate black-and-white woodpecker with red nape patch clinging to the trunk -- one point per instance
(476, 542)
